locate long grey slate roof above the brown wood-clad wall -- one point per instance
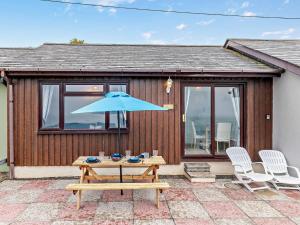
(127, 57)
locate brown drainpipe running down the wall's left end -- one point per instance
(10, 124)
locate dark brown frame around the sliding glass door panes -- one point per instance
(243, 115)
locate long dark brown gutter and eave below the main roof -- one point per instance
(21, 72)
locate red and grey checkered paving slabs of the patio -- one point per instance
(45, 202)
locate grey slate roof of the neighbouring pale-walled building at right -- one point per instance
(287, 50)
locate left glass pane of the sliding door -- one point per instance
(197, 120)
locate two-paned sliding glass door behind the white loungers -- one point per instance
(211, 119)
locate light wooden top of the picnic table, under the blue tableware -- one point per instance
(108, 163)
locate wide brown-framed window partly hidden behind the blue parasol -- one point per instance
(72, 96)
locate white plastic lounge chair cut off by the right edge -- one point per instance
(276, 165)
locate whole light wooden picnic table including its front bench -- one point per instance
(88, 174)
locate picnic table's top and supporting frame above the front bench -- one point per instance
(89, 174)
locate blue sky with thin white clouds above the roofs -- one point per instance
(30, 23)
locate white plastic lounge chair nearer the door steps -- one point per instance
(243, 169)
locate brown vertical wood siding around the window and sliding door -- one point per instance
(147, 130)
